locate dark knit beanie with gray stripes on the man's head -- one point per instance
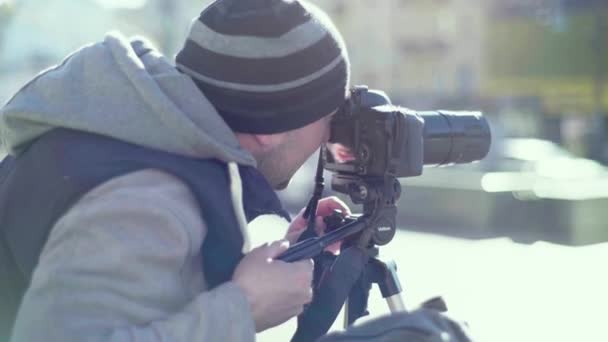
(268, 66)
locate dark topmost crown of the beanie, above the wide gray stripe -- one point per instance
(249, 18)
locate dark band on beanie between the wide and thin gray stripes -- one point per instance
(258, 71)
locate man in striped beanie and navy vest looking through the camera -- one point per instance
(124, 202)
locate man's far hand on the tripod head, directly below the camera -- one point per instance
(325, 207)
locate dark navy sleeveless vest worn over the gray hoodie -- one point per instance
(40, 185)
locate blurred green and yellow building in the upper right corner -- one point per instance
(553, 49)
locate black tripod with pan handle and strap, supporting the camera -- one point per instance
(347, 278)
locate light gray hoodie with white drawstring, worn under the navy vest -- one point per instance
(124, 262)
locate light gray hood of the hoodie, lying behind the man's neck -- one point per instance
(125, 90)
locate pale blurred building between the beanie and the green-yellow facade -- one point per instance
(416, 50)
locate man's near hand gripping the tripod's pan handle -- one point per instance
(276, 290)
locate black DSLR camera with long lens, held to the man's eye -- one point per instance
(370, 137)
